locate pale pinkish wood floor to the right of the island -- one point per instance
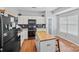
(66, 46)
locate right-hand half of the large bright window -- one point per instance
(73, 24)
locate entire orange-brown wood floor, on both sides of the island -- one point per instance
(30, 46)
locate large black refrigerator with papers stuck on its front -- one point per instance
(8, 34)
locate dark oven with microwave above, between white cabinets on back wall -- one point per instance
(31, 28)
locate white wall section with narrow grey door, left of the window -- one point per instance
(53, 26)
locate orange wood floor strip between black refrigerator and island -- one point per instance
(28, 46)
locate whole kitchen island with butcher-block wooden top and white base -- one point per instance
(45, 42)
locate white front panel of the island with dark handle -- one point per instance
(47, 46)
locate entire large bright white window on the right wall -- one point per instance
(69, 24)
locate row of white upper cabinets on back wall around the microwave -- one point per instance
(24, 19)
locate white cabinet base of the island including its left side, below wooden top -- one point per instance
(46, 46)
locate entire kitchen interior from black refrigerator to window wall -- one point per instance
(39, 29)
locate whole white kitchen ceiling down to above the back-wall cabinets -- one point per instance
(32, 11)
